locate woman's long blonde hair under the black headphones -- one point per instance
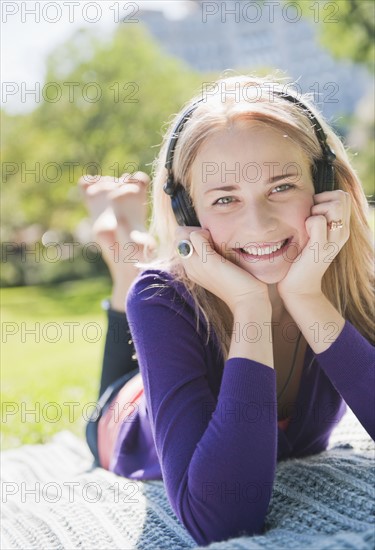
(348, 282)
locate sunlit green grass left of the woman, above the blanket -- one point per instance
(49, 365)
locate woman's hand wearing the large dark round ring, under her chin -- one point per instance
(206, 267)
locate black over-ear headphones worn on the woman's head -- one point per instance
(323, 171)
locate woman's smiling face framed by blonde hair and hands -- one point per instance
(253, 191)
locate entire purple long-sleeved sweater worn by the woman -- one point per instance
(209, 429)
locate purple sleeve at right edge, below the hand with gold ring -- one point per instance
(350, 365)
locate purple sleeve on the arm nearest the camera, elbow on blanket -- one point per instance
(218, 457)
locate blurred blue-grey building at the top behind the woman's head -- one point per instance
(215, 36)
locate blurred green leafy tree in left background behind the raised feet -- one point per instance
(101, 110)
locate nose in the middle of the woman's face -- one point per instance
(260, 221)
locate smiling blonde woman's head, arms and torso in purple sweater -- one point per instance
(254, 326)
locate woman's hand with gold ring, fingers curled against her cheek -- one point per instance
(305, 274)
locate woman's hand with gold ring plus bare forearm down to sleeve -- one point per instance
(300, 290)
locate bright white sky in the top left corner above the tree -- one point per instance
(30, 30)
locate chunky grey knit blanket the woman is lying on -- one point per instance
(52, 498)
